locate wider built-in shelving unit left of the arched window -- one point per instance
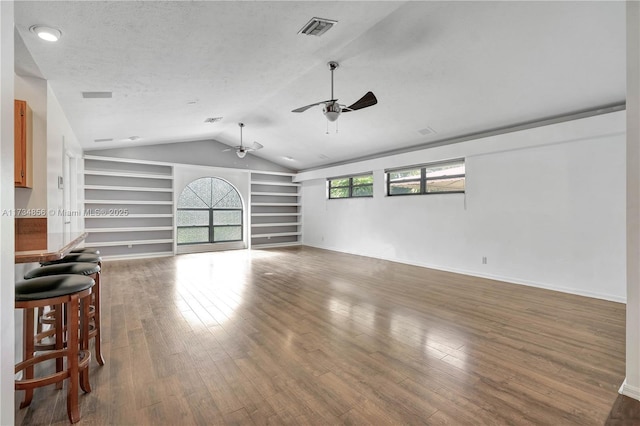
(128, 207)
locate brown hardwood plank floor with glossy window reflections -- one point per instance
(307, 336)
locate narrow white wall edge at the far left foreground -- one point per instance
(6, 222)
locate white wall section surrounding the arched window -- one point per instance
(183, 175)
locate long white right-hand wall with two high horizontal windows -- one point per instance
(546, 206)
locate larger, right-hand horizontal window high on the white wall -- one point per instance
(437, 178)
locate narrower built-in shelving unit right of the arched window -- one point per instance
(275, 210)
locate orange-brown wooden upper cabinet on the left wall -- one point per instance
(23, 145)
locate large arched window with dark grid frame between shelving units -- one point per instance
(209, 211)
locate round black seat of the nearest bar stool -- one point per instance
(52, 286)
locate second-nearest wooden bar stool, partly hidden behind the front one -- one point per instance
(77, 268)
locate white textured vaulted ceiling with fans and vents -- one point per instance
(453, 67)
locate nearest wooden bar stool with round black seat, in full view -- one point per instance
(71, 293)
